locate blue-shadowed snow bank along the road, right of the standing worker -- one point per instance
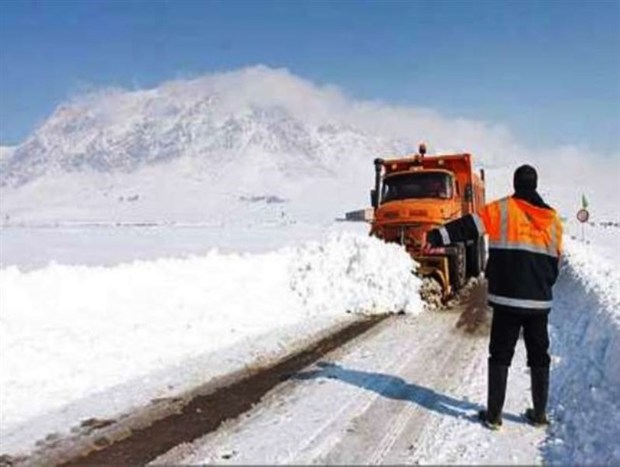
(585, 391)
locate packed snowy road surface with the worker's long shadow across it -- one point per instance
(407, 392)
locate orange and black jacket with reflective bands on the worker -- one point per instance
(525, 243)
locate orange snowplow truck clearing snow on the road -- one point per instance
(417, 193)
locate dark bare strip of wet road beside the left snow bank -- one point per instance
(152, 434)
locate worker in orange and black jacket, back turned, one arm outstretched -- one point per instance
(525, 242)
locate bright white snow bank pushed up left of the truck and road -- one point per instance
(71, 331)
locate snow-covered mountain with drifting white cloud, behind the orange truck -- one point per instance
(215, 148)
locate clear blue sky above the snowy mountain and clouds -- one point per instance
(549, 70)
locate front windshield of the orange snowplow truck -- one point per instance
(417, 185)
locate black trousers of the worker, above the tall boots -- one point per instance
(505, 328)
